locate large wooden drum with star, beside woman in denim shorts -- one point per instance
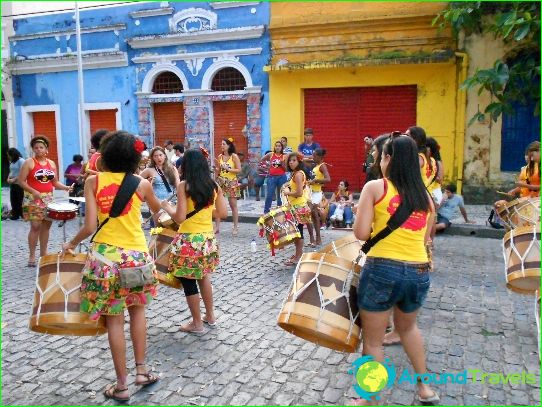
(321, 306)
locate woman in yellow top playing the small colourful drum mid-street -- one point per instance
(293, 190)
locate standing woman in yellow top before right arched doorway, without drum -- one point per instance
(229, 165)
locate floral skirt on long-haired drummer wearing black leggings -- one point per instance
(193, 255)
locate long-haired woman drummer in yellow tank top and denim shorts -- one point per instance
(395, 275)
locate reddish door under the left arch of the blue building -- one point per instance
(168, 123)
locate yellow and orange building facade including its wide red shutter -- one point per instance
(379, 50)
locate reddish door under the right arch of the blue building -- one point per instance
(230, 117)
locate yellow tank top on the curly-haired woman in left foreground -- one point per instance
(124, 231)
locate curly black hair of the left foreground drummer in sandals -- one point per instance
(119, 153)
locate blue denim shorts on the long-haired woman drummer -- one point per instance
(385, 283)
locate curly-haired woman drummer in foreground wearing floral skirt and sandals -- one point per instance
(120, 242)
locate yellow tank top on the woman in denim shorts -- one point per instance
(405, 243)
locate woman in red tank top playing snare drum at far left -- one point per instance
(38, 178)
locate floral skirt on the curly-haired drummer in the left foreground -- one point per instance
(101, 293)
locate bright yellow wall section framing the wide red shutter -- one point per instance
(436, 107)
